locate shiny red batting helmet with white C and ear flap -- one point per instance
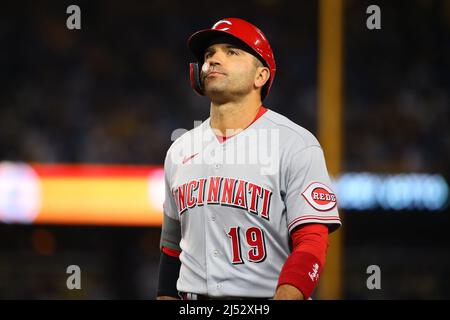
(245, 33)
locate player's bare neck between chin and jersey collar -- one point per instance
(230, 117)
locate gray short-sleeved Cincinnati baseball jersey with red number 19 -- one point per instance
(230, 207)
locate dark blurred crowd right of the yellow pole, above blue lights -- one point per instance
(398, 90)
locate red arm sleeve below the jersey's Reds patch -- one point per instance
(303, 267)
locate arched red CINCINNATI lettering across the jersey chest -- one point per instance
(223, 191)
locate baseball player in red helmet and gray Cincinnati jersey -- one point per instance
(248, 201)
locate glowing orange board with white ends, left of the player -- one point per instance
(81, 194)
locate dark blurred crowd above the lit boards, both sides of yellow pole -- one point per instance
(114, 91)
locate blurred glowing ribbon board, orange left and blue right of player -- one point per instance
(133, 195)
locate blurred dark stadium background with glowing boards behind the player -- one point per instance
(86, 118)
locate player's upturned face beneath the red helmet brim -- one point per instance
(228, 71)
